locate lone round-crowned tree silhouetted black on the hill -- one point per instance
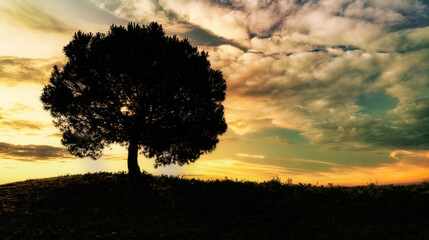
(139, 88)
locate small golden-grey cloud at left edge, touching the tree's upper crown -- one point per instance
(15, 70)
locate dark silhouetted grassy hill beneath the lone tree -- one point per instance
(104, 206)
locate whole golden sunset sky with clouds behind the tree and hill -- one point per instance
(328, 91)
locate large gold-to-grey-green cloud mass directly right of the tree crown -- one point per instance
(317, 93)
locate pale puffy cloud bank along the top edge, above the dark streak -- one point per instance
(292, 24)
